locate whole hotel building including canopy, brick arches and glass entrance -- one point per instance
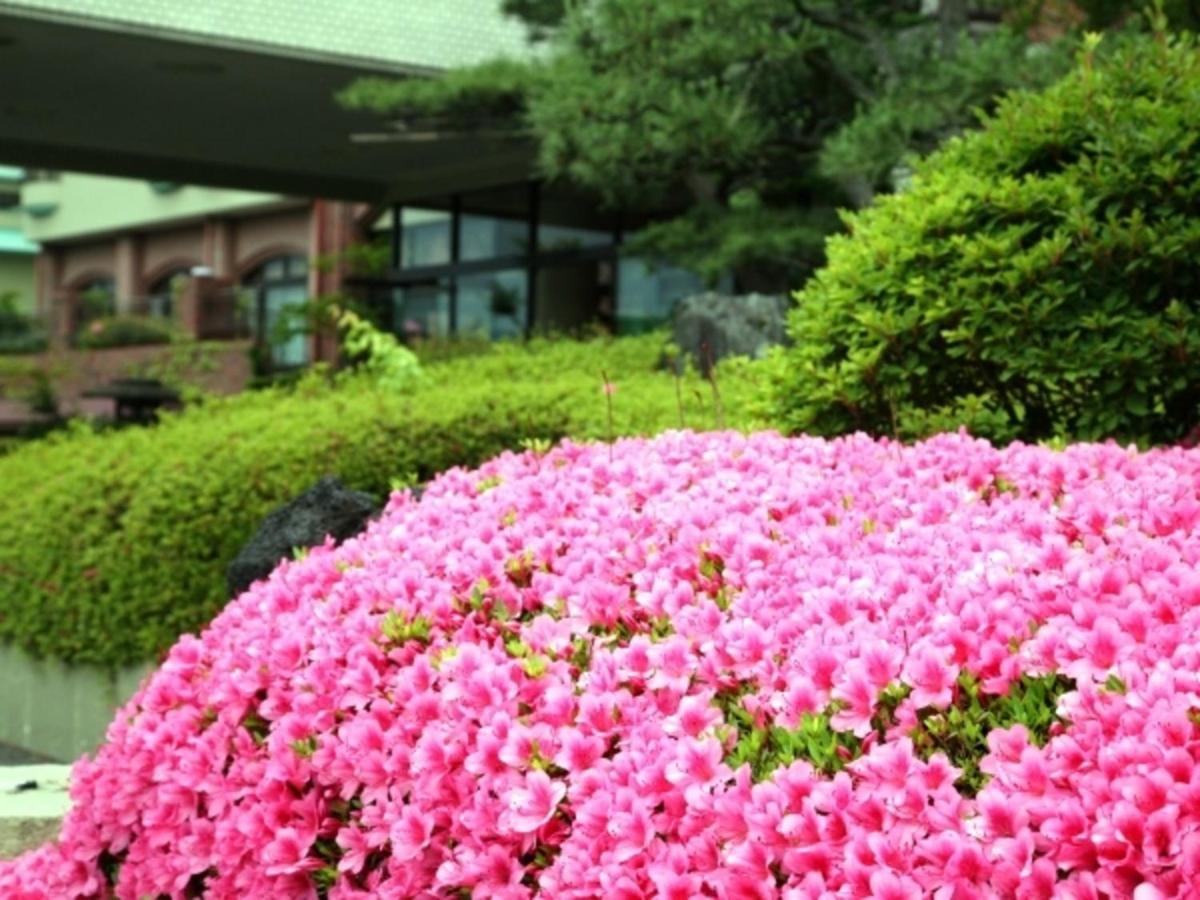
(243, 95)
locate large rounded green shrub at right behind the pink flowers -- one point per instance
(1040, 278)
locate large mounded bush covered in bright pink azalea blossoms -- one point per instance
(707, 665)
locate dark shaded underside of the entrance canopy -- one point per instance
(121, 101)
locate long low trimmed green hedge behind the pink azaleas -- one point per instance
(117, 543)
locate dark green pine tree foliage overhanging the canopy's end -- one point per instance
(739, 127)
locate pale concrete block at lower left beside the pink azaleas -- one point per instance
(33, 802)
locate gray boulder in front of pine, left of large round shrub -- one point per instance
(710, 327)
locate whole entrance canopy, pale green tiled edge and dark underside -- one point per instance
(242, 94)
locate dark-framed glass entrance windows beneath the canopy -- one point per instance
(477, 253)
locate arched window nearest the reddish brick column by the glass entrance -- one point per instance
(279, 290)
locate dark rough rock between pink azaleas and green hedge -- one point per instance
(328, 508)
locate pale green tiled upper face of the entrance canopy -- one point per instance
(416, 34)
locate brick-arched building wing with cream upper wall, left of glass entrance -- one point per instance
(217, 263)
